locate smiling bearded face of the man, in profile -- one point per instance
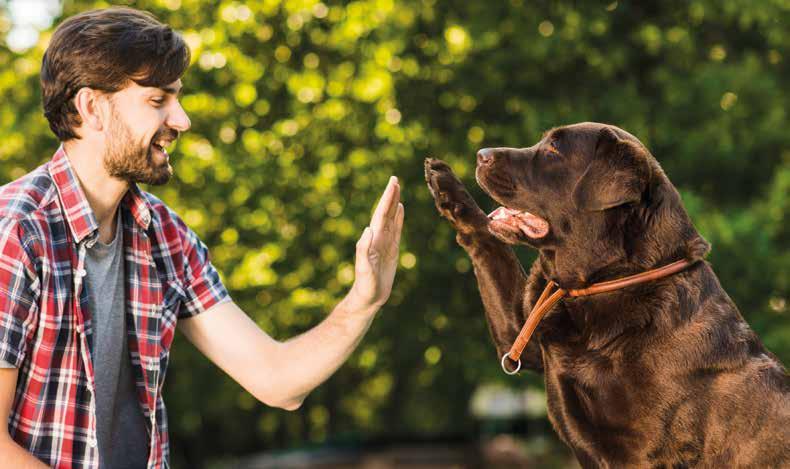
(143, 122)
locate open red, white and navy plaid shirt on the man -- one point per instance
(46, 224)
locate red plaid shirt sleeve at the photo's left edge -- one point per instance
(18, 308)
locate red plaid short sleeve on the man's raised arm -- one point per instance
(202, 286)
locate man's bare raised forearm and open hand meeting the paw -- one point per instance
(281, 374)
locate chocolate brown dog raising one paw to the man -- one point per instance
(665, 374)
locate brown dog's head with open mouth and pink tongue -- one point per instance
(588, 196)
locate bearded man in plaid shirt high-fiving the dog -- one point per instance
(95, 273)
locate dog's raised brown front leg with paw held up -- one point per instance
(500, 276)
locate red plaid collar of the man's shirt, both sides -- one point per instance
(76, 208)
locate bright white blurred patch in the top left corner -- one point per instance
(28, 18)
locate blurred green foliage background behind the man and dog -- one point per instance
(302, 109)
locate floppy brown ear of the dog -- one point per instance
(617, 175)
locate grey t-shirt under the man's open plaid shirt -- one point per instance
(120, 425)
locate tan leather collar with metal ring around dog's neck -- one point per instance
(548, 299)
